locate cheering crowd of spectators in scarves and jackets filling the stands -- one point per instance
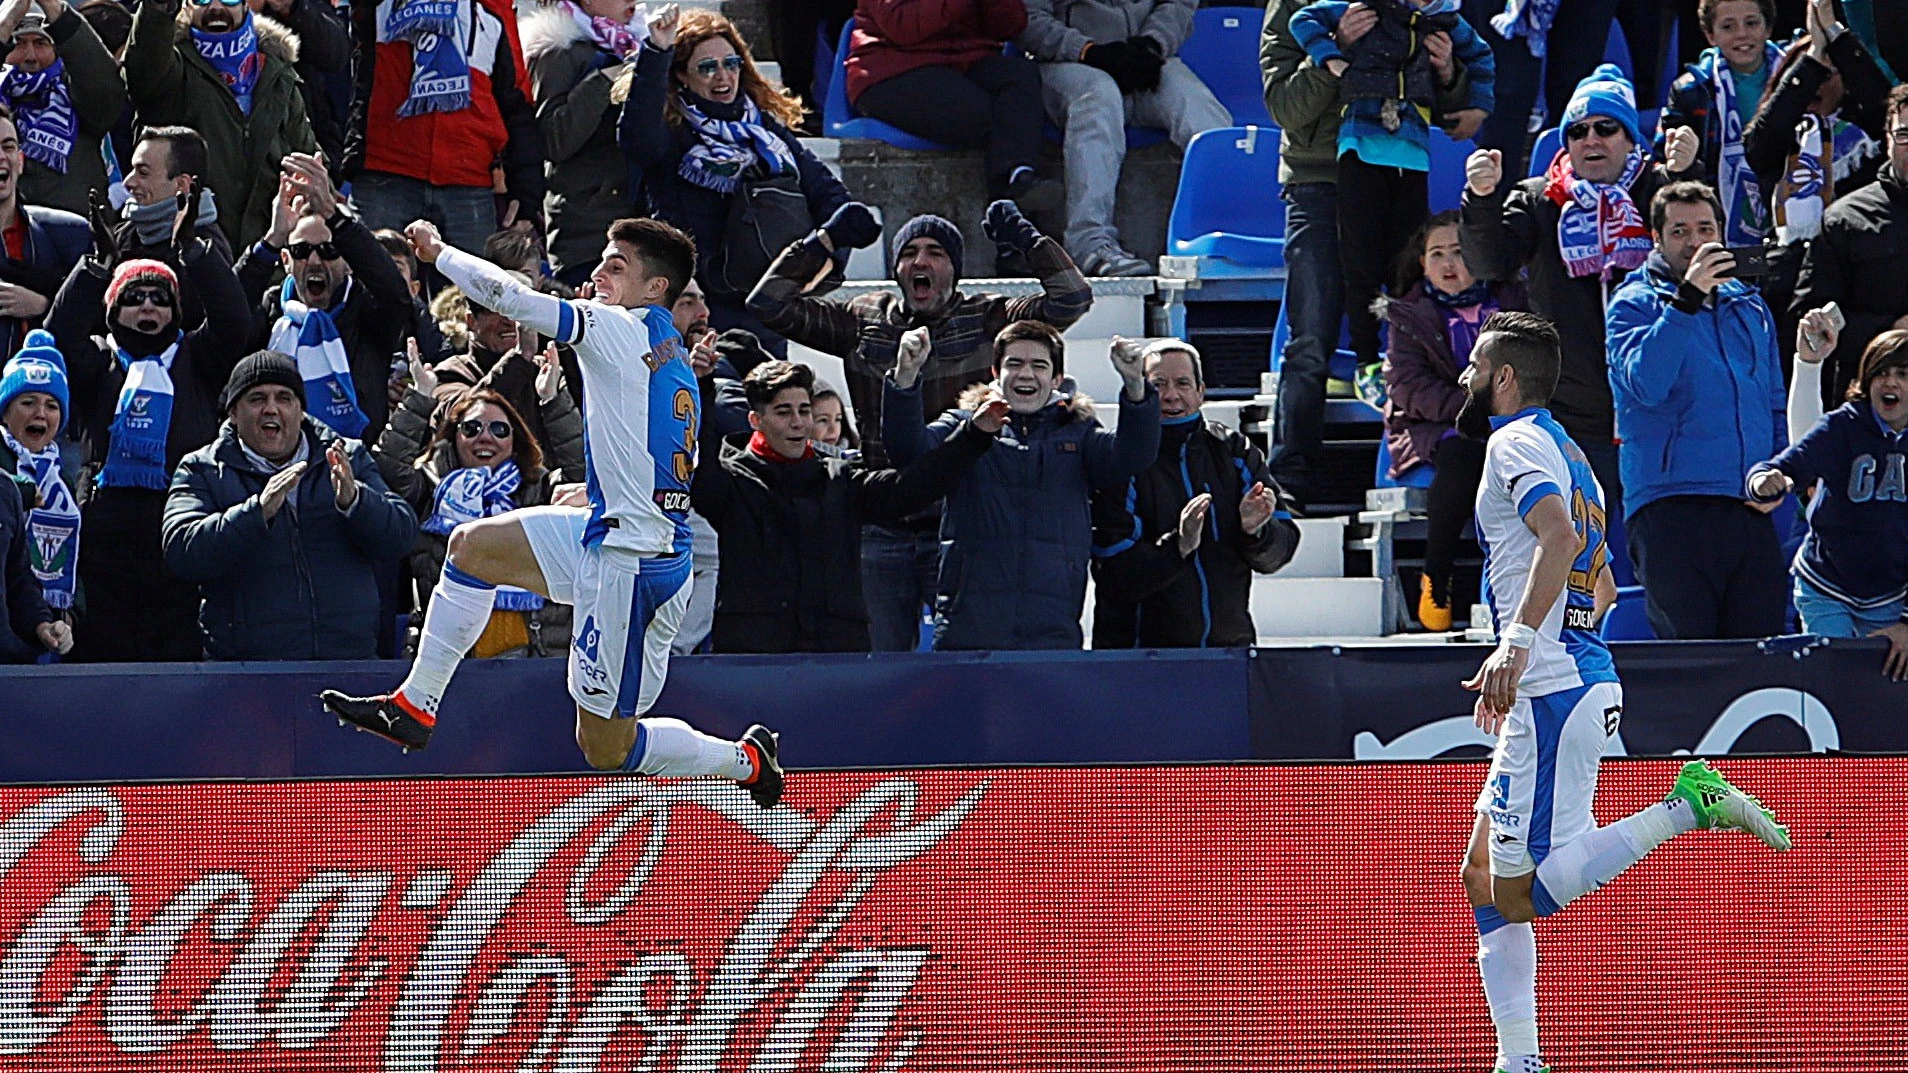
(243, 419)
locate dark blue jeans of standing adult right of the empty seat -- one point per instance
(1316, 306)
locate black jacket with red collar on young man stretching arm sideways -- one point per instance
(791, 537)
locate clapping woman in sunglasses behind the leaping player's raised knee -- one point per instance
(478, 461)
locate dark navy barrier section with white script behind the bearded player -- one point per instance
(1711, 698)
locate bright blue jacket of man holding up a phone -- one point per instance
(1699, 394)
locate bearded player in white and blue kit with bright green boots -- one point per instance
(1550, 690)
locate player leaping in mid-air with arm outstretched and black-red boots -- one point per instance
(623, 562)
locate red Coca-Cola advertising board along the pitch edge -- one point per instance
(1066, 919)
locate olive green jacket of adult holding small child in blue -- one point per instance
(1304, 100)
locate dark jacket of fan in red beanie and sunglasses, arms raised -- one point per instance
(199, 371)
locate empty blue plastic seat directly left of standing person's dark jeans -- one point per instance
(1228, 205)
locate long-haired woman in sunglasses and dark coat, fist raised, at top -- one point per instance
(699, 125)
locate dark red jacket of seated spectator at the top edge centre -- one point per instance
(894, 37)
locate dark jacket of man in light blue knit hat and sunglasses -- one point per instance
(1514, 230)
